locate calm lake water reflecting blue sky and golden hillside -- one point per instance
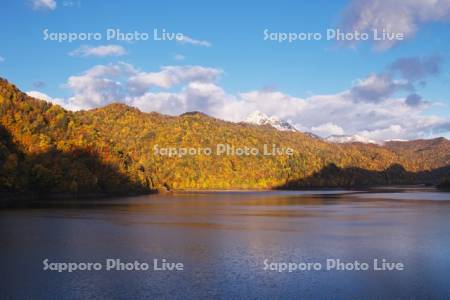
(223, 239)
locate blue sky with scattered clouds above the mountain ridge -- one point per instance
(221, 63)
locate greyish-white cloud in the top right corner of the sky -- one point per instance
(404, 16)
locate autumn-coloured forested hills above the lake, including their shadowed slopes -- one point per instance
(45, 149)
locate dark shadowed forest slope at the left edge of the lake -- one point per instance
(54, 172)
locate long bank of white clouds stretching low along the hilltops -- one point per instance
(177, 89)
